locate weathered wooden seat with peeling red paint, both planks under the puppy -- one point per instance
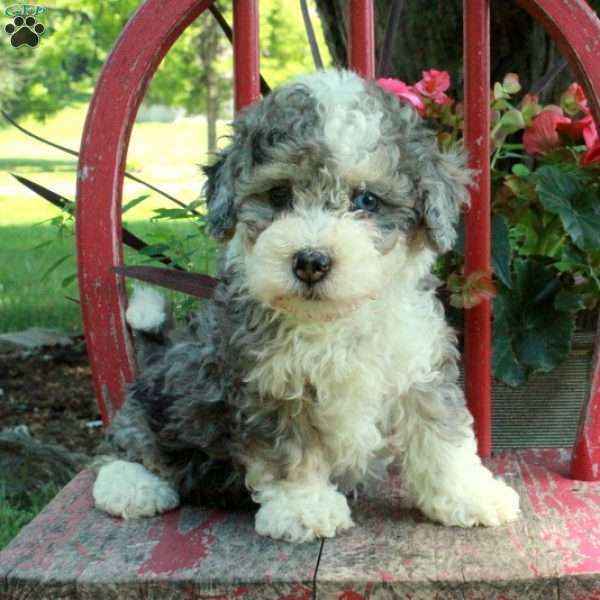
(73, 551)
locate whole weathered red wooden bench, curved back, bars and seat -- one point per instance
(73, 551)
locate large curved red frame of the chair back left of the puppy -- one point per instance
(146, 39)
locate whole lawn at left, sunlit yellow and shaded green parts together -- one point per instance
(165, 154)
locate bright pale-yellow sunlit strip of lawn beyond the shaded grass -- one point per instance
(165, 154)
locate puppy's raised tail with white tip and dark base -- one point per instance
(149, 316)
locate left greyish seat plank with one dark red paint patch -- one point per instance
(73, 551)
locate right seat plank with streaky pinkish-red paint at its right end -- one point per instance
(553, 551)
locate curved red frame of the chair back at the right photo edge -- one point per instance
(575, 28)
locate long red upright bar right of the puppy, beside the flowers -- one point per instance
(478, 330)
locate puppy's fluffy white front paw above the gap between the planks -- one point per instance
(302, 518)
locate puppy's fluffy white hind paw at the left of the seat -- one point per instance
(128, 490)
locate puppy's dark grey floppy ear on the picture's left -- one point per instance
(220, 196)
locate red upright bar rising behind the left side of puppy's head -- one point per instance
(246, 57)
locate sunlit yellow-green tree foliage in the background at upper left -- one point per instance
(195, 74)
